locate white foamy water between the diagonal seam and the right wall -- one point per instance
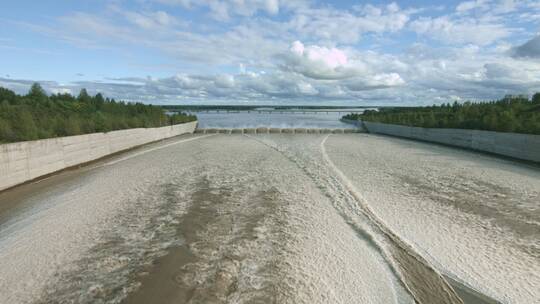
(472, 249)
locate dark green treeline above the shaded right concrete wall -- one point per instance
(515, 114)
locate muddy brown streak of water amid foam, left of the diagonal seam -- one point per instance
(212, 228)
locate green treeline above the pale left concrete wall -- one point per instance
(37, 116)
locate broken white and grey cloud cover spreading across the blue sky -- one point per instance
(335, 54)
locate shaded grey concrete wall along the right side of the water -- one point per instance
(520, 146)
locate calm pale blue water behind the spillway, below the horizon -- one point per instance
(276, 119)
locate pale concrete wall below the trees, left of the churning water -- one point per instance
(24, 161)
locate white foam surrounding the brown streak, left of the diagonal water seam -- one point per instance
(99, 228)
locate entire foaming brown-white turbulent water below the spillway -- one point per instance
(274, 218)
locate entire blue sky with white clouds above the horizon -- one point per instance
(273, 51)
